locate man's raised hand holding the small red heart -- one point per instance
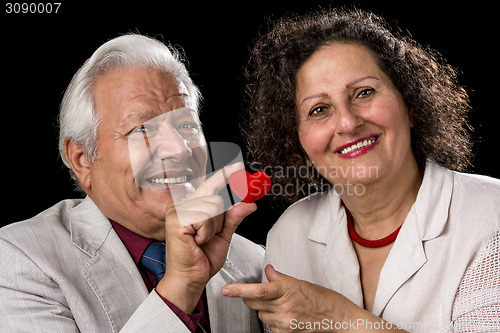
(197, 250)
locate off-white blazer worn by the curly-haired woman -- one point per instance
(454, 217)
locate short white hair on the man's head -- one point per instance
(78, 118)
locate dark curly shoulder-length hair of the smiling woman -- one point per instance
(437, 104)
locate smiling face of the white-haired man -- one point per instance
(150, 148)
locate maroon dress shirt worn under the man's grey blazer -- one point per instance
(136, 245)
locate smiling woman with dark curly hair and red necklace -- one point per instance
(401, 240)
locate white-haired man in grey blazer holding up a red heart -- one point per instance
(85, 265)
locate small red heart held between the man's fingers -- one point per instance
(250, 187)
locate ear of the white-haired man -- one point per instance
(77, 159)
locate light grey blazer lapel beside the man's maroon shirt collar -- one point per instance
(110, 271)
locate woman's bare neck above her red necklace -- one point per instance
(385, 203)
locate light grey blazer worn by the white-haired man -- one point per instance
(66, 270)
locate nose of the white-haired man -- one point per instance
(171, 145)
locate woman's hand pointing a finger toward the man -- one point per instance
(287, 304)
